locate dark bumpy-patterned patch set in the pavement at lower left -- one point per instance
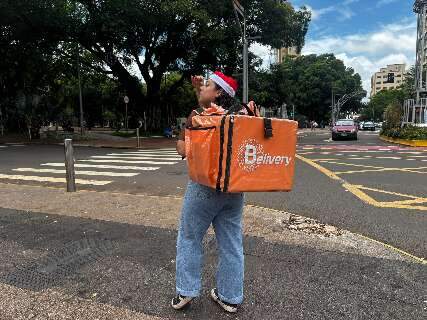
(53, 268)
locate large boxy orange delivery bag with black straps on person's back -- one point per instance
(240, 153)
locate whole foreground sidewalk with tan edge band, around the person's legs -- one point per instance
(96, 255)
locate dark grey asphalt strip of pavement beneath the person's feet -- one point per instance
(133, 267)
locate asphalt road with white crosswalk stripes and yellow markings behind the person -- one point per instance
(380, 191)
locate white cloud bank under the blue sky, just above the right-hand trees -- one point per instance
(367, 53)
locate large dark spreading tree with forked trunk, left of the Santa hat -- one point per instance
(158, 37)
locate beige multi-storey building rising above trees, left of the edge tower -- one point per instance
(388, 78)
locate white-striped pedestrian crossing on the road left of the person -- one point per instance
(99, 170)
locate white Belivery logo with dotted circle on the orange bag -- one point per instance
(251, 156)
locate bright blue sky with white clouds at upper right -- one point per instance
(365, 34)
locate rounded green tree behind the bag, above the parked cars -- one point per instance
(307, 83)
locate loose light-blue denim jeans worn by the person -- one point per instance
(203, 206)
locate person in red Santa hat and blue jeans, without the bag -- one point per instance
(204, 206)
